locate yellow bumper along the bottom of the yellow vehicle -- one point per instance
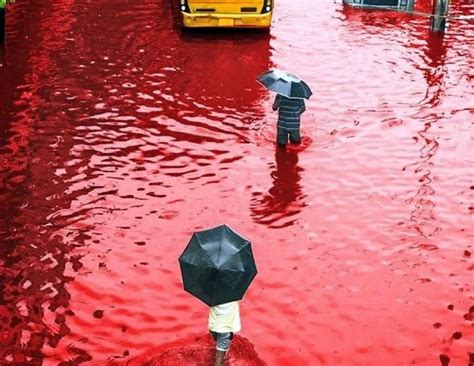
(227, 20)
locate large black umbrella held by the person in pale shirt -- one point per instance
(217, 266)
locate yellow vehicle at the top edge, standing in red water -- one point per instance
(227, 13)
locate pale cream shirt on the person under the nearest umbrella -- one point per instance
(224, 318)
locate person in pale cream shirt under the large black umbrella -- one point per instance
(224, 321)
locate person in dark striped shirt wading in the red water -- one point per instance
(289, 112)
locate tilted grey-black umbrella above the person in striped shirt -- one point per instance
(286, 84)
